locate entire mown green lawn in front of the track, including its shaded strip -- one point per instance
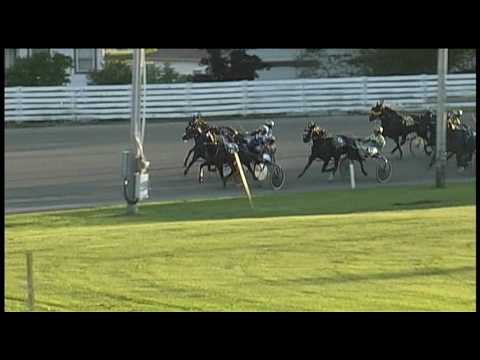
(317, 251)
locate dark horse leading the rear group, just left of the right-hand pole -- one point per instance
(395, 126)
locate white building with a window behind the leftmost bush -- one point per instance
(84, 61)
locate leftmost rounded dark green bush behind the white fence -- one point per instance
(40, 69)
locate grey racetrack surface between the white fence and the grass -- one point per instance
(79, 165)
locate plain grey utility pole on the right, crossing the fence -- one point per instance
(441, 141)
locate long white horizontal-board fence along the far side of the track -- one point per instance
(237, 98)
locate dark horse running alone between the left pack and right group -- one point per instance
(326, 147)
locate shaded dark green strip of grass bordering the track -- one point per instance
(276, 205)
